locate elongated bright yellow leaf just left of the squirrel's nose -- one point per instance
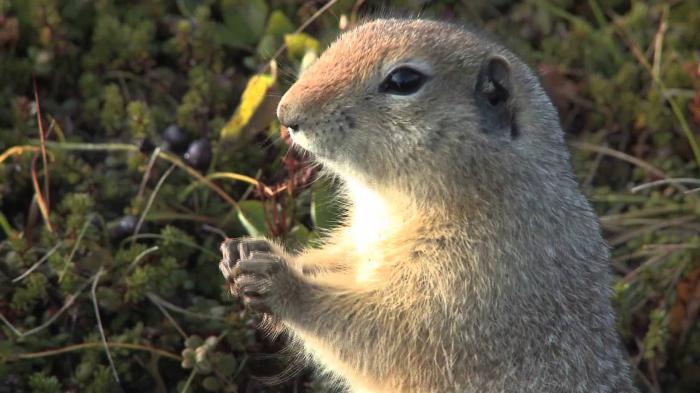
(253, 97)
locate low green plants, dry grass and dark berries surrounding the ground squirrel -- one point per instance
(135, 134)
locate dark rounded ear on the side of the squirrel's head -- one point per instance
(494, 95)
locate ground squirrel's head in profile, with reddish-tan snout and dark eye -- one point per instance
(393, 98)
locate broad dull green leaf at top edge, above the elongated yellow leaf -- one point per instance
(244, 19)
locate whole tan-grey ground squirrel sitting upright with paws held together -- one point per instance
(470, 260)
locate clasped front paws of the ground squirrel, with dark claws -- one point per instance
(258, 274)
